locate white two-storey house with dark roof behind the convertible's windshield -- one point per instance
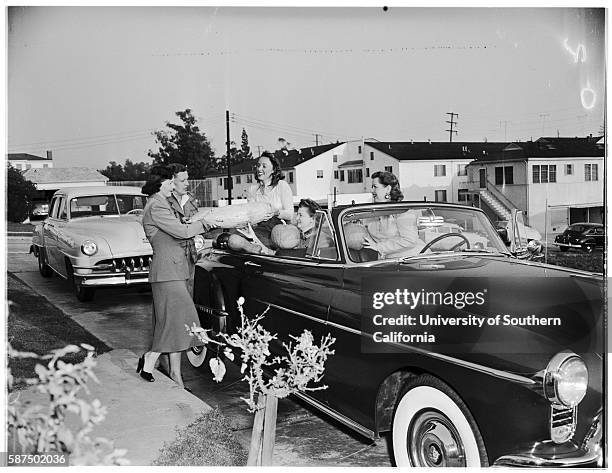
(427, 171)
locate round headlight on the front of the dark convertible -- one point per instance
(566, 379)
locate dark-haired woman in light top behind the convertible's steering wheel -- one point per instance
(391, 235)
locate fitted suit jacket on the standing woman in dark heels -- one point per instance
(168, 237)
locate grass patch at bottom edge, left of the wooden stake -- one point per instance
(208, 440)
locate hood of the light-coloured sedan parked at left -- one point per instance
(124, 234)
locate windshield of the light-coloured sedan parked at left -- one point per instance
(105, 205)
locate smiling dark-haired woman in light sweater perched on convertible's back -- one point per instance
(272, 189)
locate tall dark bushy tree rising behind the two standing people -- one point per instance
(185, 144)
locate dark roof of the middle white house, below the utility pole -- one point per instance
(419, 150)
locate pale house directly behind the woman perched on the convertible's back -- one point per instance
(308, 172)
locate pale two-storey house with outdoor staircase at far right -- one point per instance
(555, 181)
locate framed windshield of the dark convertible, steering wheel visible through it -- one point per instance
(393, 231)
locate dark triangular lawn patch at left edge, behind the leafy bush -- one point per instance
(37, 326)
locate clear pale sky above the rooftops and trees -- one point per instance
(91, 84)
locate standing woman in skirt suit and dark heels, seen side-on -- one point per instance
(169, 275)
